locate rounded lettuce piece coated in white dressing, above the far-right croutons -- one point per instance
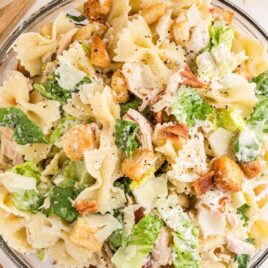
(247, 147)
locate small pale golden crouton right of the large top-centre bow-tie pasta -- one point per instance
(181, 32)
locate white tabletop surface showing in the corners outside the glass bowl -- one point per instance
(258, 9)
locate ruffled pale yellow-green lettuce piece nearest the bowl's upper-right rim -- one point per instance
(221, 34)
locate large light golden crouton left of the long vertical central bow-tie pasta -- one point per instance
(79, 139)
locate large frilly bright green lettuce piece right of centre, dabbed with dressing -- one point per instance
(189, 106)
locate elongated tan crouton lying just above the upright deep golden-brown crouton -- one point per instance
(93, 29)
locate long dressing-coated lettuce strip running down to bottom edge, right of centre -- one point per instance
(185, 232)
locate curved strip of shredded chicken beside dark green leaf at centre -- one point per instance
(145, 128)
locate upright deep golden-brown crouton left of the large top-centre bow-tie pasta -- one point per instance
(99, 55)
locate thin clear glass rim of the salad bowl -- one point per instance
(7, 46)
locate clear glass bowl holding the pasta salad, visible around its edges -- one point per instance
(242, 21)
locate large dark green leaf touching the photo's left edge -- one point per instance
(25, 131)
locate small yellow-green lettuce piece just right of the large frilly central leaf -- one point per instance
(231, 120)
